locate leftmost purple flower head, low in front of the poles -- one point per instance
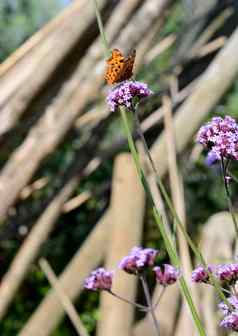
(100, 279)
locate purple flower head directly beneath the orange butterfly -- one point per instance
(124, 93)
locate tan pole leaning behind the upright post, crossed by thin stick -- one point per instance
(71, 280)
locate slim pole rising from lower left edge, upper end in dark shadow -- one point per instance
(45, 224)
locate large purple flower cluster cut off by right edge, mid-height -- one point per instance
(220, 137)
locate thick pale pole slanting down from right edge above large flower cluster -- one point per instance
(209, 89)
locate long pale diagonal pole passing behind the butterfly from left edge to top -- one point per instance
(57, 120)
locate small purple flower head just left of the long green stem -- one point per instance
(167, 274)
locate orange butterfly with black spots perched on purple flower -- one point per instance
(119, 68)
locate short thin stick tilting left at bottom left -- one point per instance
(65, 301)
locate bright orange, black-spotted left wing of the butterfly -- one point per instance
(115, 65)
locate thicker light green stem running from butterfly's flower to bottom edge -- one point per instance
(168, 244)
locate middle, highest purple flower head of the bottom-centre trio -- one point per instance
(138, 260)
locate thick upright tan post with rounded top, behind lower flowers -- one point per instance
(127, 211)
